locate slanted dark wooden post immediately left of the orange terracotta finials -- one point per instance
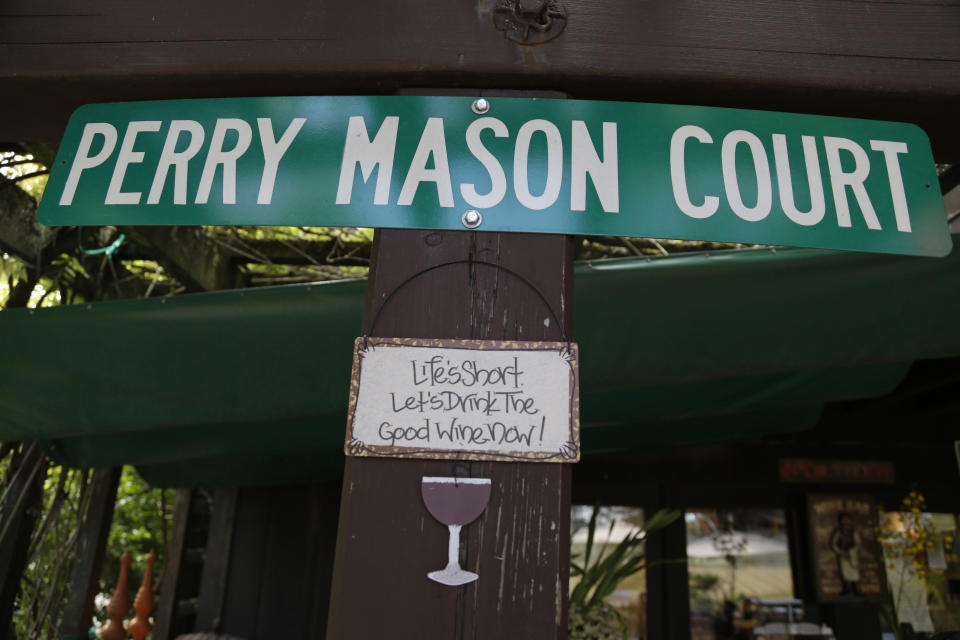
(91, 546)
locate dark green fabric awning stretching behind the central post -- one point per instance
(197, 388)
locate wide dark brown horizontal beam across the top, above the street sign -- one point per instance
(869, 58)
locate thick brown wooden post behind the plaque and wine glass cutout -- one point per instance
(387, 542)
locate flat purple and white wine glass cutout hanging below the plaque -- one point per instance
(455, 502)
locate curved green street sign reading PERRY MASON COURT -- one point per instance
(503, 164)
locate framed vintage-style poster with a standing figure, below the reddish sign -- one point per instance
(848, 561)
